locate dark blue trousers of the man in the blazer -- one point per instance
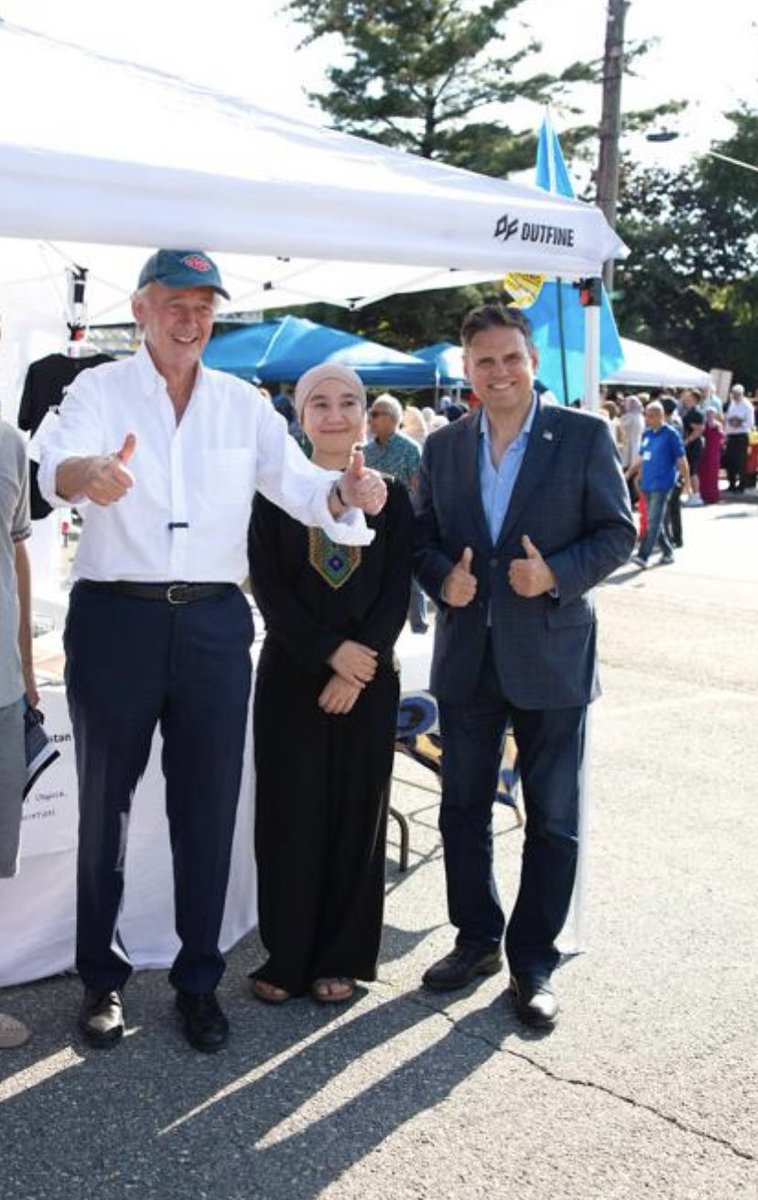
(551, 745)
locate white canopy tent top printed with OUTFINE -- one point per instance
(109, 160)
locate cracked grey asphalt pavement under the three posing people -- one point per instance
(648, 1087)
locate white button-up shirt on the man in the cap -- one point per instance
(188, 514)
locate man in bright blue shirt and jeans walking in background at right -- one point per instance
(661, 459)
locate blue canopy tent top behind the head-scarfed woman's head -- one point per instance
(280, 351)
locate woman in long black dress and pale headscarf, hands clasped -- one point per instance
(326, 713)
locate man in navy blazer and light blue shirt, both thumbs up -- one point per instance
(522, 511)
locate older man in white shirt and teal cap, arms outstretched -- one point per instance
(170, 455)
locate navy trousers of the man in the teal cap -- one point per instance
(134, 664)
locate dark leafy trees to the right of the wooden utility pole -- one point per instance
(690, 286)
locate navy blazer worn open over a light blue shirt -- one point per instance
(573, 501)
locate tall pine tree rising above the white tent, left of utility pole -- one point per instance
(420, 77)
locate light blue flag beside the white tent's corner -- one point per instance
(557, 316)
